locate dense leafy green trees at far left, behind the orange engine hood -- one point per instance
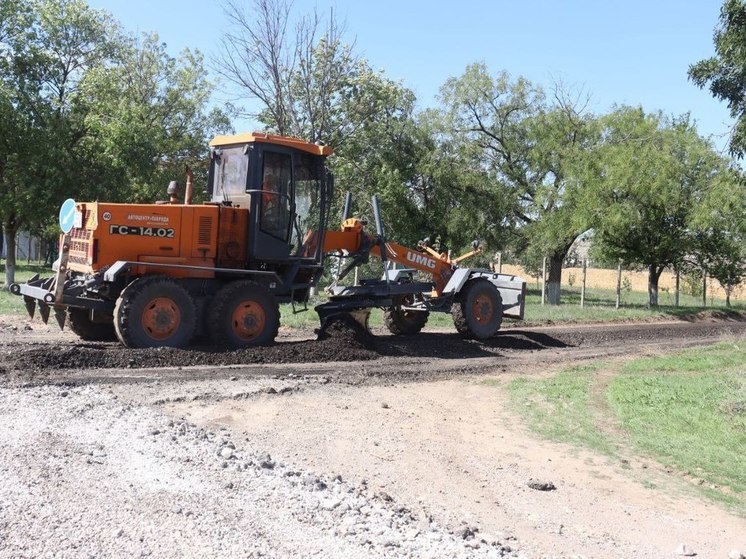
(88, 112)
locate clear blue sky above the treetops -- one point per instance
(618, 52)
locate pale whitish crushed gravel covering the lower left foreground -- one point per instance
(83, 474)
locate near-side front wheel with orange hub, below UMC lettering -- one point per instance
(477, 312)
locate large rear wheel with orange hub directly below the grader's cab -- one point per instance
(243, 314)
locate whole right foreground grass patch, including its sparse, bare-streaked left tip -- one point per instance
(686, 410)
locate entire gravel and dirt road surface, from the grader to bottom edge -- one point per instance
(347, 447)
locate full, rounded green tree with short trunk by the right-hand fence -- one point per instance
(651, 174)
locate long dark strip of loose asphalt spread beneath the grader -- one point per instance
(341, 341)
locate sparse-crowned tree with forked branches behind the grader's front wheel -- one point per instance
(529, 146)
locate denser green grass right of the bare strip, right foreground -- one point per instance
(689, 410)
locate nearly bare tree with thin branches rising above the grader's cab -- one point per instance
(297, 77)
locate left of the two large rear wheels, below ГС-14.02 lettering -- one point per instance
(155, 311)
